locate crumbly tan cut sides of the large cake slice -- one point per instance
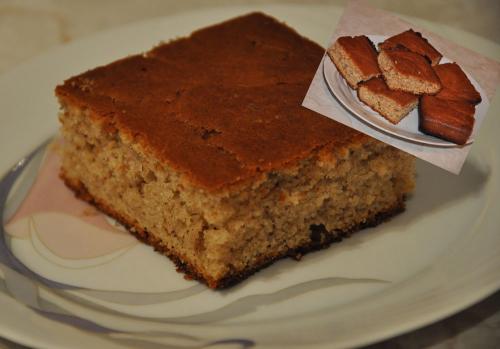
(220, 237)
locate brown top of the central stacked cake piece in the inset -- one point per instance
(413, 65)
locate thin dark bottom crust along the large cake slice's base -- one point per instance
(320, 239)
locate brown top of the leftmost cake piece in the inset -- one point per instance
(362, 52)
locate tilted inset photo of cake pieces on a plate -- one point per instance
(404, 88)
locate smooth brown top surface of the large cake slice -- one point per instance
(221, 106)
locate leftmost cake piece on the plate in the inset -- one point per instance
(355, 58)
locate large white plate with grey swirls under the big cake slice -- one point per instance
(437, 258)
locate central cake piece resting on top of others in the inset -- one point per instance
(408, 71)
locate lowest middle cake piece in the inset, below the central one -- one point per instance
(391, 104)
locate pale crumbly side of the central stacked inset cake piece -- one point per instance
(415, 83)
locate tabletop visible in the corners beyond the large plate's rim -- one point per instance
(28, 28)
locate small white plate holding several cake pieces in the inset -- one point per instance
(408, 127)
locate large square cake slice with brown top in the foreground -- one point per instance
(202, 149)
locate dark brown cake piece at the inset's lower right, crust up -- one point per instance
(449, 120)
